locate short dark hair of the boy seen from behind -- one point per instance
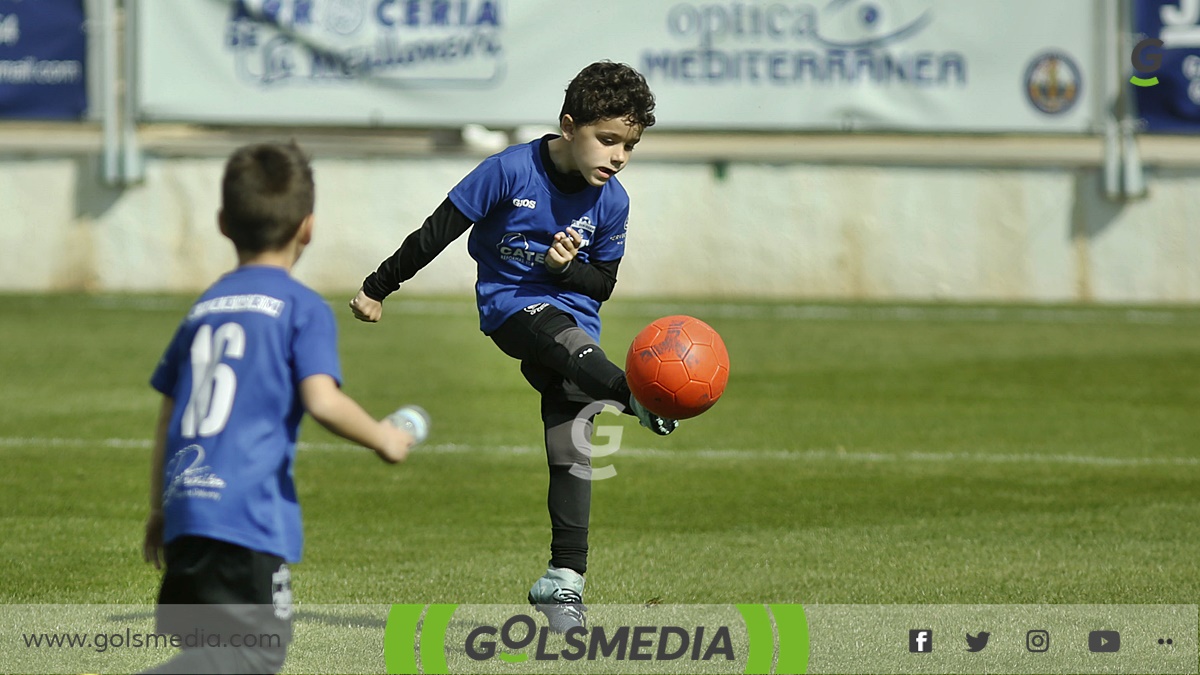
(266, 194)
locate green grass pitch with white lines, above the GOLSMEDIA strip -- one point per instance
(862, 455)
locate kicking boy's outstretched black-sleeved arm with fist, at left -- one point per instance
(443, 226)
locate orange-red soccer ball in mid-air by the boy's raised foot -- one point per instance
(677, 367)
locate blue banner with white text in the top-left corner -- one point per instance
(43, 51)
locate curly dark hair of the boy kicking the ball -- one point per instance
(608, 91)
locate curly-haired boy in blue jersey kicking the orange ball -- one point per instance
(548, 228)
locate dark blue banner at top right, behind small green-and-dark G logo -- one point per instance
(1167, 63)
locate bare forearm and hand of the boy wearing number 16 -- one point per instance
(341, 415)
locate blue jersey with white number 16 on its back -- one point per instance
(235, 371)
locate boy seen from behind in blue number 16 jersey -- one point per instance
(256, 353)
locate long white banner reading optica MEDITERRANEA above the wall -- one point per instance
(916, 65)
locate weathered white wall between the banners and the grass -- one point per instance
(741, 230)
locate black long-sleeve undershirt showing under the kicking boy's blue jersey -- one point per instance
(595, 279)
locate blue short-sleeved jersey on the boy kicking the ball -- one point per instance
(518, 211)
